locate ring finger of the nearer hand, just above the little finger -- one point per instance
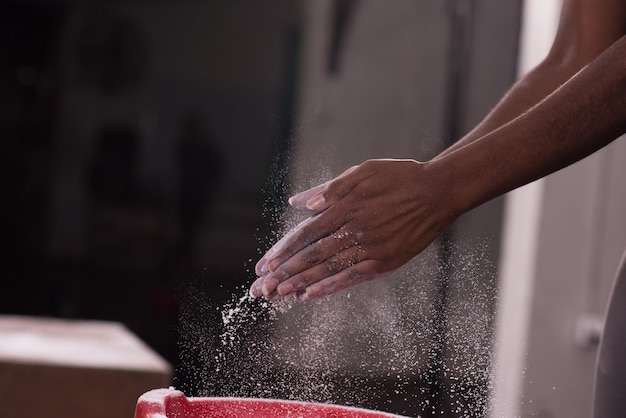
(297, 283)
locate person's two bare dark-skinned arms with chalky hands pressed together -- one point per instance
(378, 215)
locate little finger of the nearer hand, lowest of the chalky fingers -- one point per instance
(364, 271)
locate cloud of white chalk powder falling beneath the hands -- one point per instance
(379, 344)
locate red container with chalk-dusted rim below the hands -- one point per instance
(170, 403)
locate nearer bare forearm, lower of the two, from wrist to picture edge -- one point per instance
(581, 116)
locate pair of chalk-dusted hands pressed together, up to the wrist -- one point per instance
(365, 223)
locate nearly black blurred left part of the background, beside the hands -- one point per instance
(143, 151)
